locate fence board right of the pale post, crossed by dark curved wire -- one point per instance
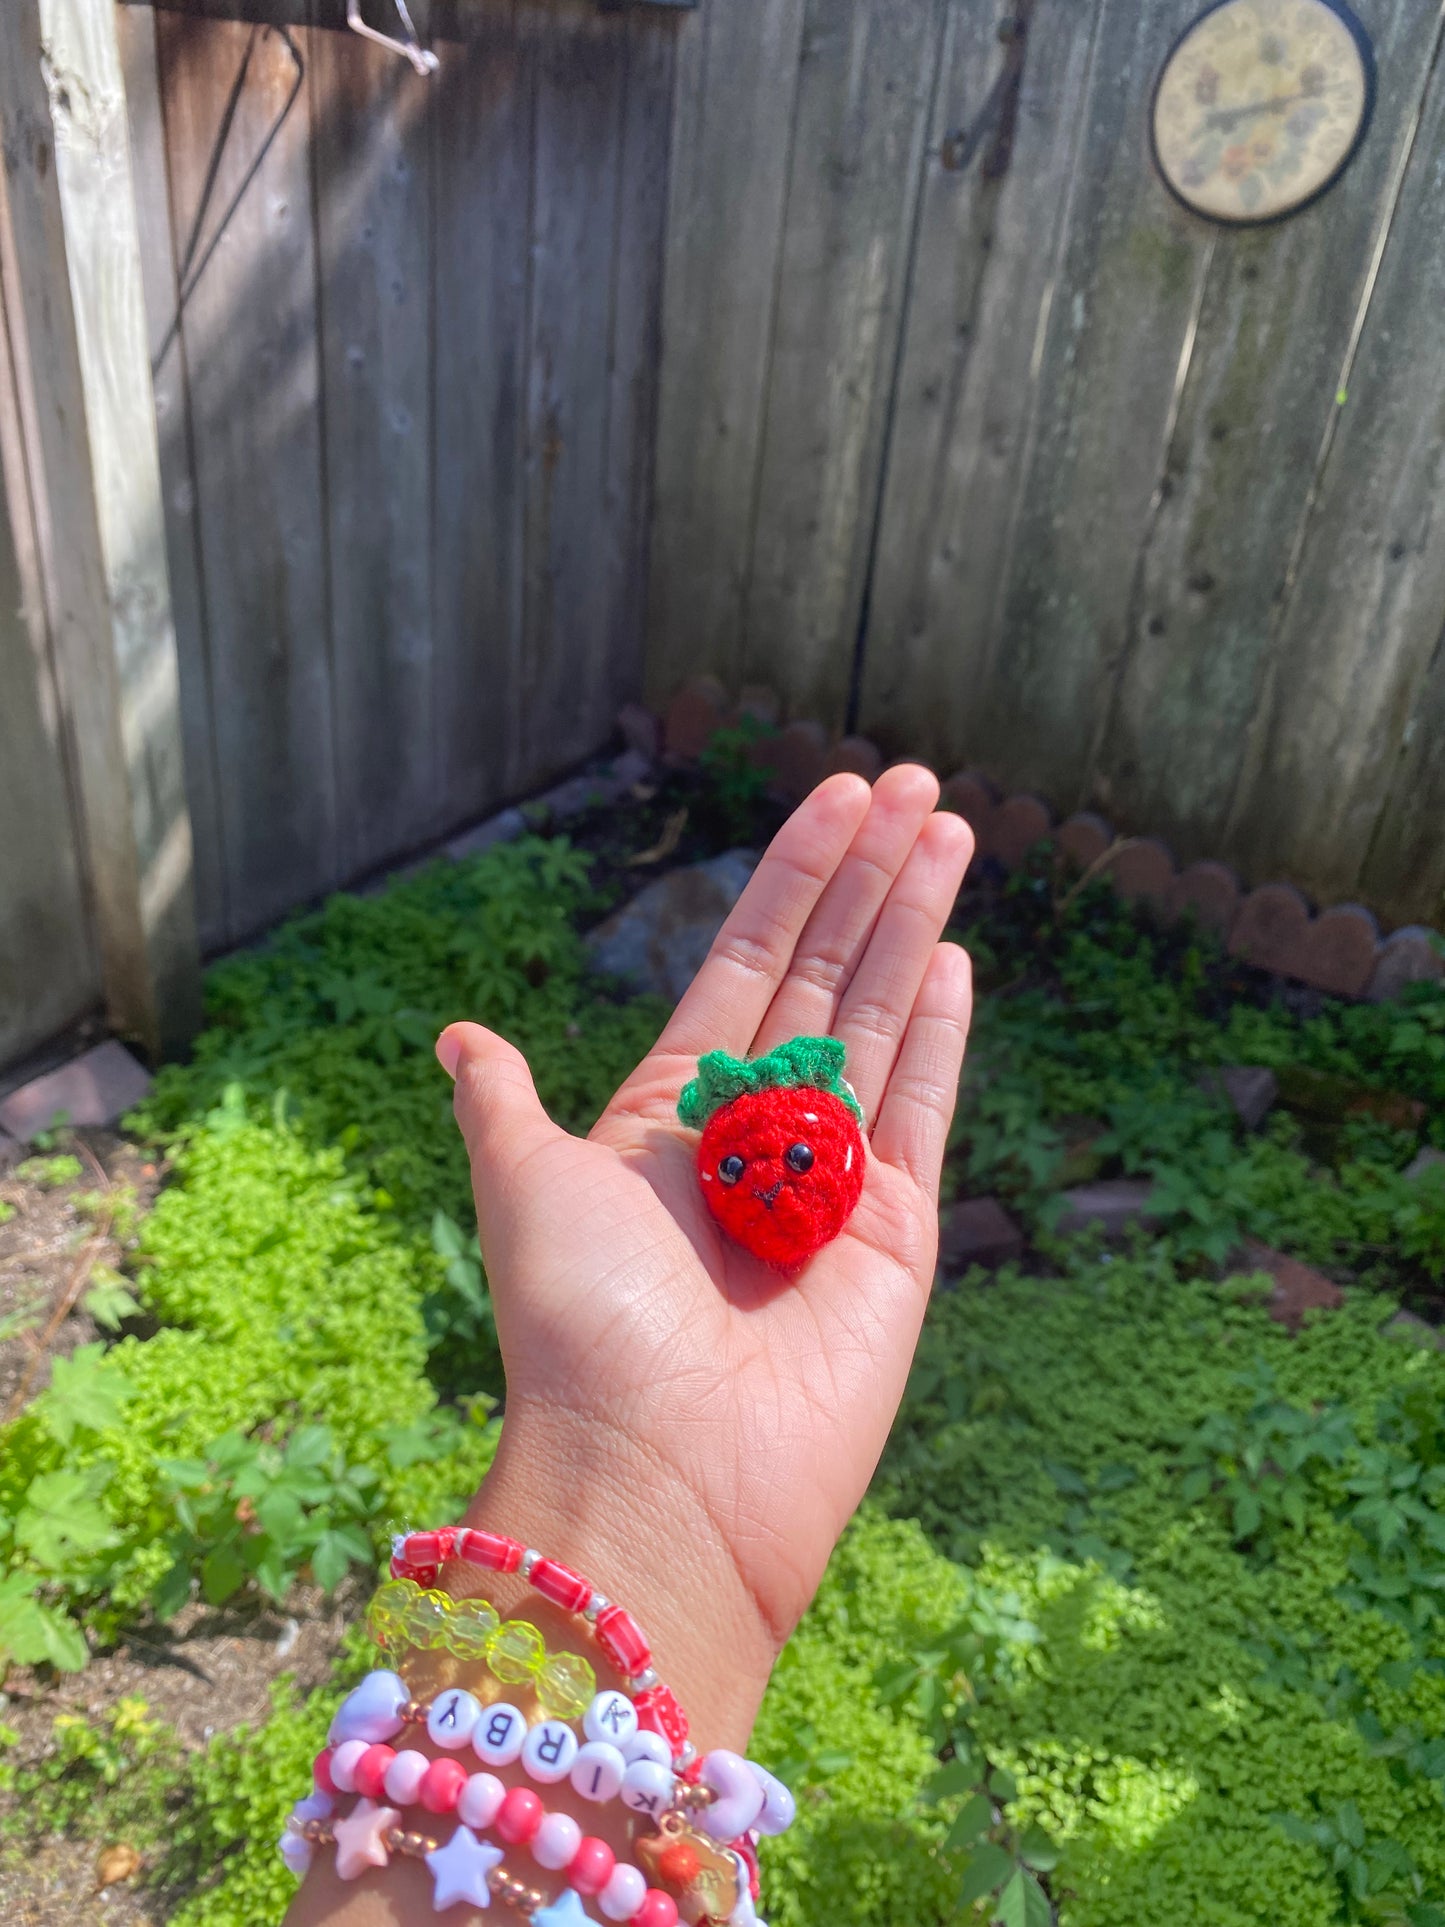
(251, 342)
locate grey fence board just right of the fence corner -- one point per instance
(731, 145)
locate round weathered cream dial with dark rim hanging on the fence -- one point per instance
(1261, 105)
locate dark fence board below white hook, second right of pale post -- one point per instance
(373, 165)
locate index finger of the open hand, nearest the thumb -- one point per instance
(750, 955)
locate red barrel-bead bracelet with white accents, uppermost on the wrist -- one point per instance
(421, 1556)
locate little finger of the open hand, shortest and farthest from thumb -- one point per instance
(924, 1088)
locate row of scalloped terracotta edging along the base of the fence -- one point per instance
(1338, 951)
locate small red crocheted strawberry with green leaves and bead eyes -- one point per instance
(783, 1148)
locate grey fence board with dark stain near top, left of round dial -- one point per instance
(968, 388)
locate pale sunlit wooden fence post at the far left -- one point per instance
(70, 273)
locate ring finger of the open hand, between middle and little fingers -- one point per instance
(880, 999)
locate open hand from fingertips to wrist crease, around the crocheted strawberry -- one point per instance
(660, 1359)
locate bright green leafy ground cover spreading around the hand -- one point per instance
(1143, 1620)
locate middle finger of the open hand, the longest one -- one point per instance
(837, 934)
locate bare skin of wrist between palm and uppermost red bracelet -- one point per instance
(591, 1496)
